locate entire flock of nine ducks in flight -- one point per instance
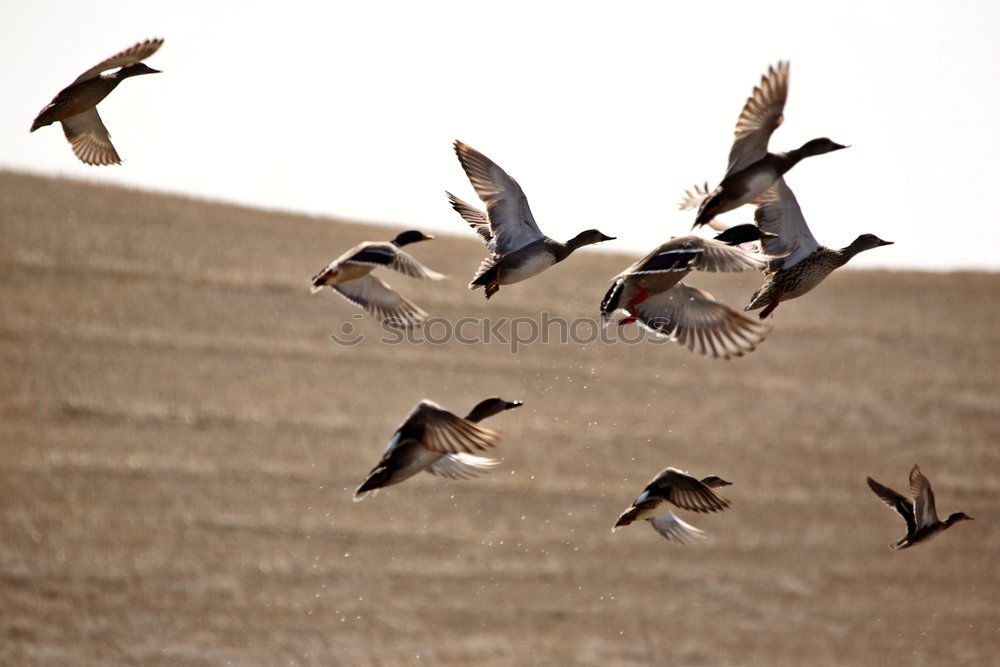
(649, 292)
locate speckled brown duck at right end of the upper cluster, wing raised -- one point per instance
(803, 263)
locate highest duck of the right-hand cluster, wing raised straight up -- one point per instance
(752, 169)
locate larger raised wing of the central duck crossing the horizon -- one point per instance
(511, 224)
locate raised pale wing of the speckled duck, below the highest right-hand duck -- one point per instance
(778, 212)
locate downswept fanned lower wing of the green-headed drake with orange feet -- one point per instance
(696, 320)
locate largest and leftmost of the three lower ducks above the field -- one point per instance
(435, 440)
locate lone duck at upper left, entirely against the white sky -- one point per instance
(76, 105)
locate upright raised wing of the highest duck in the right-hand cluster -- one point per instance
(761, 116)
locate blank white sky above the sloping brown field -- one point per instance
(604, 112)
